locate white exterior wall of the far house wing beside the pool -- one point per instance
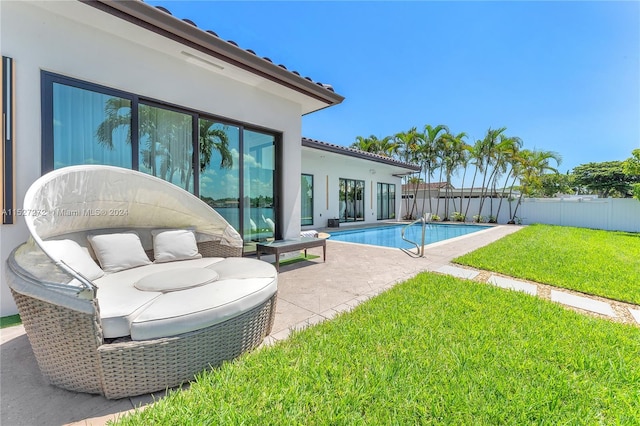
(327, 168)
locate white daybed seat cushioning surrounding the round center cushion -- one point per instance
(243, 284)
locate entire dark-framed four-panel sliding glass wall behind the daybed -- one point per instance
(230, 167)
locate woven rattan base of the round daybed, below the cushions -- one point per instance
(70, 353)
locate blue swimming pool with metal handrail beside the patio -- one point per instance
(390, 235)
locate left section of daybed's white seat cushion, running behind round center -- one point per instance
(120, 301)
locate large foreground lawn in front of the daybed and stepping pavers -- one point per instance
(434, 349)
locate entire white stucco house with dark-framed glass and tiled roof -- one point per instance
(127, 84)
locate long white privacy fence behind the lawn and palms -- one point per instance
(619, 214)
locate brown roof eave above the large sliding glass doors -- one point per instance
(167, 25)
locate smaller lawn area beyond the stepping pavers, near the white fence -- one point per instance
(601, 263)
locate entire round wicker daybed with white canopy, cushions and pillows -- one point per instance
(122, 325)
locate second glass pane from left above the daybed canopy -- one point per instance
(166, 145)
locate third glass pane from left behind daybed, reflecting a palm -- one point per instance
(219, 146)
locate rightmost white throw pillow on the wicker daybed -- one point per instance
(174, 244)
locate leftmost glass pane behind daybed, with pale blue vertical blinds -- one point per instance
(90, 128)
